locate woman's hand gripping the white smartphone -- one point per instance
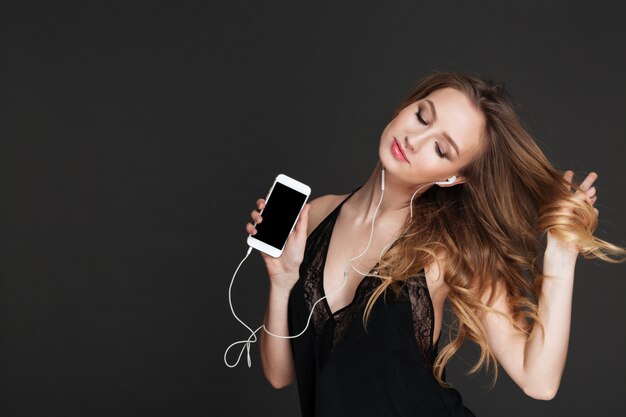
(284, 271)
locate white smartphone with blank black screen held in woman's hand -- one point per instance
(283, 205)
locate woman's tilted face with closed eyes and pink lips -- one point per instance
(438, 135)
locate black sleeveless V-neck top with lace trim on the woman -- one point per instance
(341, 369)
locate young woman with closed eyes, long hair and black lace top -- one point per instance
(469, 205)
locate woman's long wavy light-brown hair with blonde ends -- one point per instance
(490, 227)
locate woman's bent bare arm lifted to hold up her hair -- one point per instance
(537, 364)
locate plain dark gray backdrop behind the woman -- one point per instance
(136, 137)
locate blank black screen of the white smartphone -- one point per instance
(279, 215)
